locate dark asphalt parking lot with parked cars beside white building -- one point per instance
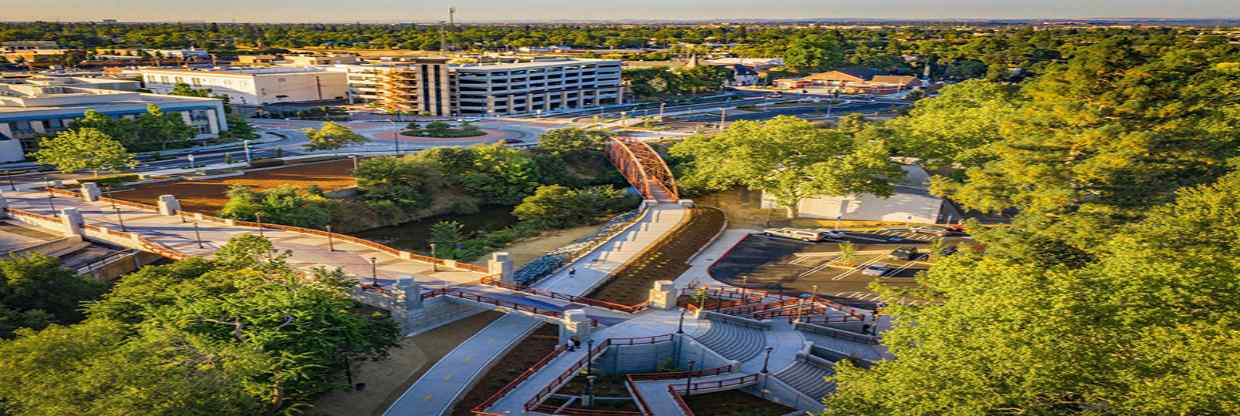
(793, 266)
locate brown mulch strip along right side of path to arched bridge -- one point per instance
(665, 263)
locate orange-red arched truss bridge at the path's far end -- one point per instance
(644, 170)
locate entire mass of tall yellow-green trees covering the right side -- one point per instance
(1114, 290)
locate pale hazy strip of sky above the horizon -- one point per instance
(549, 11)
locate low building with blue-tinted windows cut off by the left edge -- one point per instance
(37, 107)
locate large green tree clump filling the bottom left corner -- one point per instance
(241, 335)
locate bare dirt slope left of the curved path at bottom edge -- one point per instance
(386, 381)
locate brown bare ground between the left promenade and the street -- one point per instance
(210, 196)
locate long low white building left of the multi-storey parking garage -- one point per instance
(255, 86)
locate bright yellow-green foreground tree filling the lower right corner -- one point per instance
(1146, 327)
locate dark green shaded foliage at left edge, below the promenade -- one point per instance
(35, 292)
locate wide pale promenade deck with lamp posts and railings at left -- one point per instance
(307, 251)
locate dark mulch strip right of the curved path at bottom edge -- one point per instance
(521, 358)
